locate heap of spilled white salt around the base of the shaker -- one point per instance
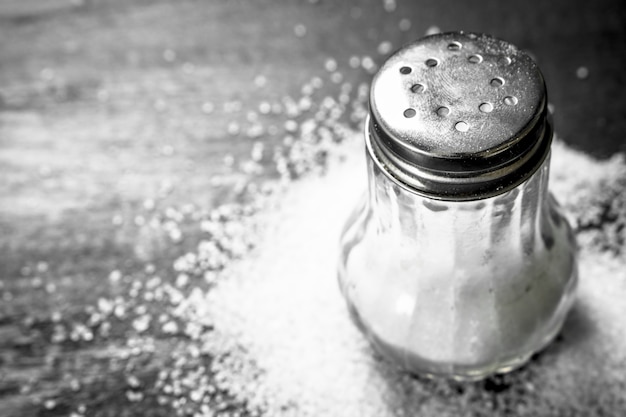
(286, 345)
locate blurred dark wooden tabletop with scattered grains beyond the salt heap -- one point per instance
(130, 130)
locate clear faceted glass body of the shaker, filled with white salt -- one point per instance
(460, 289)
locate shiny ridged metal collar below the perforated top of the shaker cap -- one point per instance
(459, 184)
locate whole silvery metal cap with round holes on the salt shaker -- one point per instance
(458, 116)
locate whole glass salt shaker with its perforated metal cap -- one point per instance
(458, 262)
